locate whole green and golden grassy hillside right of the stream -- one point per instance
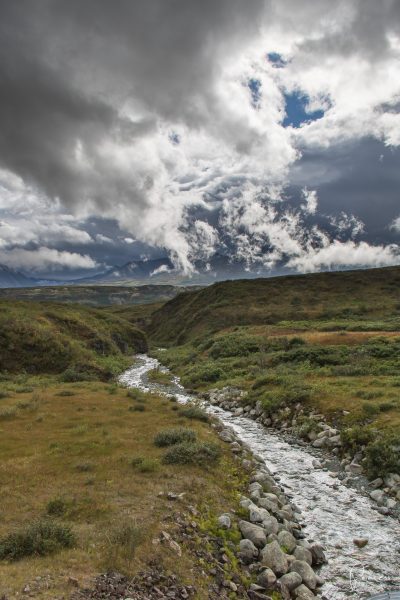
(330, 341)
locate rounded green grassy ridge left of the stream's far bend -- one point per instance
(40, 337)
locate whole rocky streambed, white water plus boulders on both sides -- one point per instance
(296, 505)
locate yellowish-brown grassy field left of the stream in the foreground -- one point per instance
(82, 455)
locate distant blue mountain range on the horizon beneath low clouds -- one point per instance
(154, 271)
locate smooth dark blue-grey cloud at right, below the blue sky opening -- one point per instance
(360, 178)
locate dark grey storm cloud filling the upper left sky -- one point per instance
(67, 68)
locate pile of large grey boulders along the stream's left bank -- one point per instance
(273, 548)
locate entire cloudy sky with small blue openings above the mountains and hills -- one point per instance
(265, 130)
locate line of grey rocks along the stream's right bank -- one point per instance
(313, 429)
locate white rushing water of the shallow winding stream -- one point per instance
(333, 514)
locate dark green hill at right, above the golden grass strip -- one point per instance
(361, 295)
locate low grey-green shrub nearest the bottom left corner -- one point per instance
(40, 538)
